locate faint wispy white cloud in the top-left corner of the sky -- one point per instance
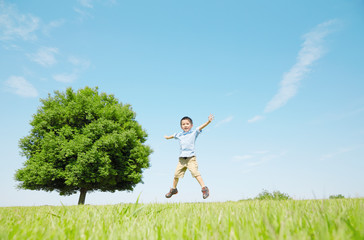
(15, 25)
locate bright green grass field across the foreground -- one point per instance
(251, 219)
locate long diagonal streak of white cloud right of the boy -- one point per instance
(312, 49)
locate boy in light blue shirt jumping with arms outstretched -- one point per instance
(187, 158)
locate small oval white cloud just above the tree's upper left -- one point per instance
(21, 87)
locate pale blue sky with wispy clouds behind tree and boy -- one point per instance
(284, 79)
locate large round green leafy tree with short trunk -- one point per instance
(83, 141)
